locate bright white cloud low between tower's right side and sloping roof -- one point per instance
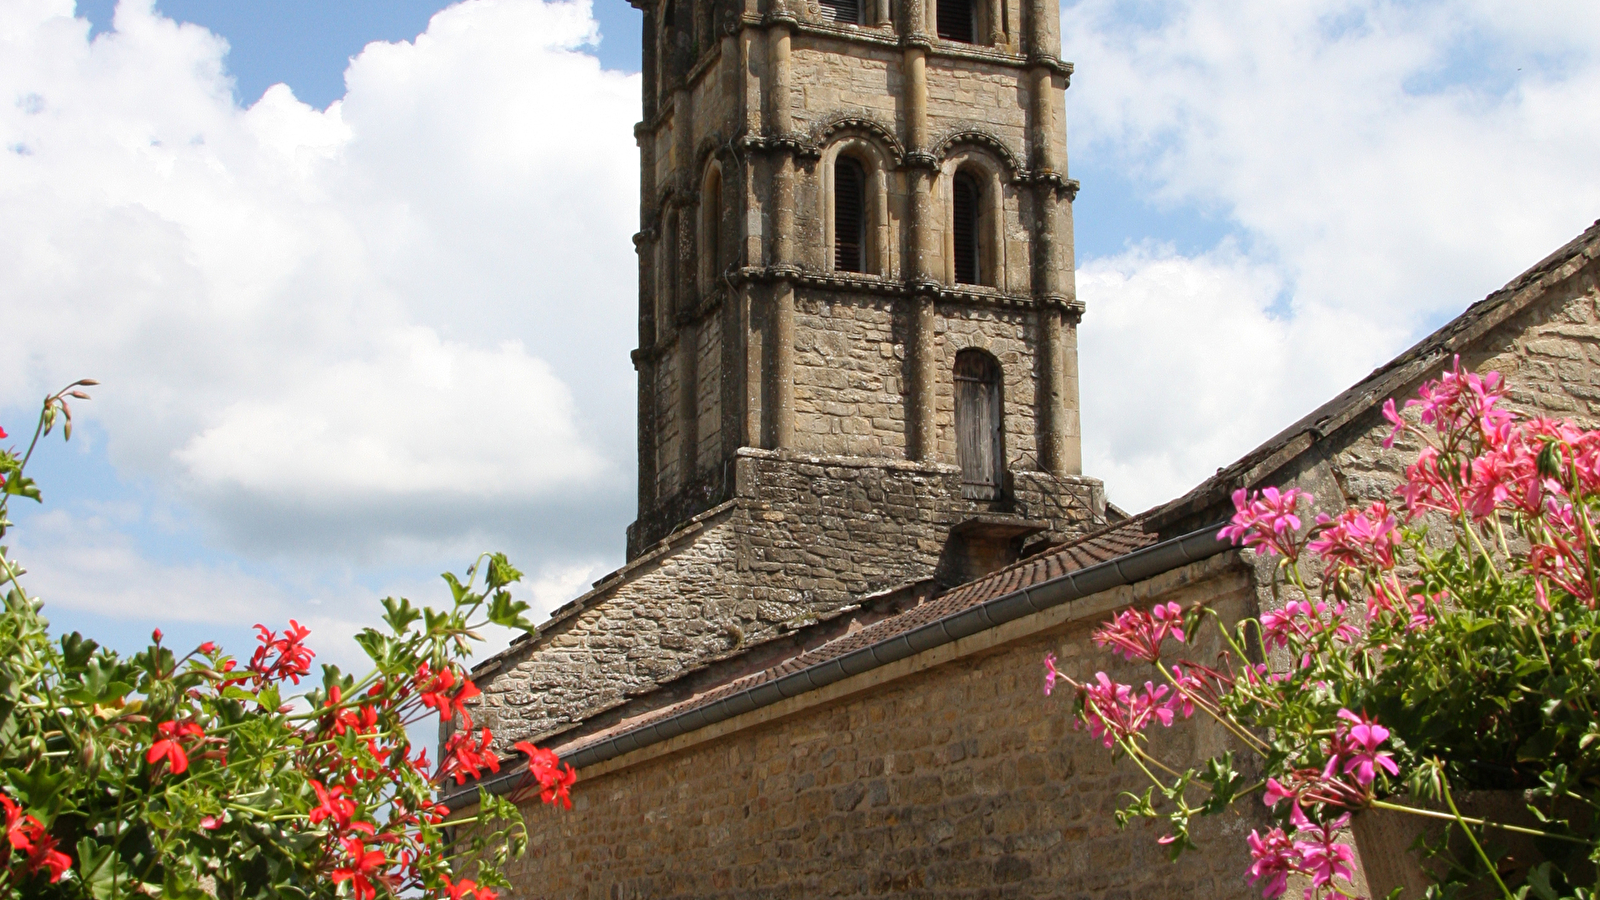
(1186, 366)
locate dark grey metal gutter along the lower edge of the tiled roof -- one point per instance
(1127, 569)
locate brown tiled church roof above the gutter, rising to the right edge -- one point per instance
(1111, 550)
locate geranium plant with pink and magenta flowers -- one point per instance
(1441, 643)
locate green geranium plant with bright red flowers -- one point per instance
(193, 773)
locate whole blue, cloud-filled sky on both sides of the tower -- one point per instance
(358, 279)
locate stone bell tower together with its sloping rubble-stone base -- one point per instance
(857, 339)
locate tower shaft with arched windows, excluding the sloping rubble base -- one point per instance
(857, 241)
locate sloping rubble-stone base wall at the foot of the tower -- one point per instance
(802, 539)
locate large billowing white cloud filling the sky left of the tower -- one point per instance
(418, 299)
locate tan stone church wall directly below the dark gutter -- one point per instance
(959, 781)
